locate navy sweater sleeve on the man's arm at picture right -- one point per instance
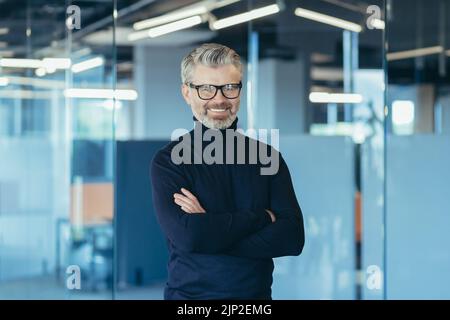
(284, 237)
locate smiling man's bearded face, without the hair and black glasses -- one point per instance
(219, 112)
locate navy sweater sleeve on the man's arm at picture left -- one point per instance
(210, 232)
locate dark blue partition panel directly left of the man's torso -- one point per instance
(141, 248)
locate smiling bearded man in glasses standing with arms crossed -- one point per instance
(223, 222)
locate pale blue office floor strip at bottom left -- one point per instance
(48, 288)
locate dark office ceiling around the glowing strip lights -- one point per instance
(282, 36)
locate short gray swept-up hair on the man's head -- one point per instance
(211, 55)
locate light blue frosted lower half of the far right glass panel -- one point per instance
(418, 217)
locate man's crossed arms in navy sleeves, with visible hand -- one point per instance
(266, 233)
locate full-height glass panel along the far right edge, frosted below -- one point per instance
(418, 150)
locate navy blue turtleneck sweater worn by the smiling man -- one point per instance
(225, 253)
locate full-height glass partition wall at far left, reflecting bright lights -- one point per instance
(57, 76)
